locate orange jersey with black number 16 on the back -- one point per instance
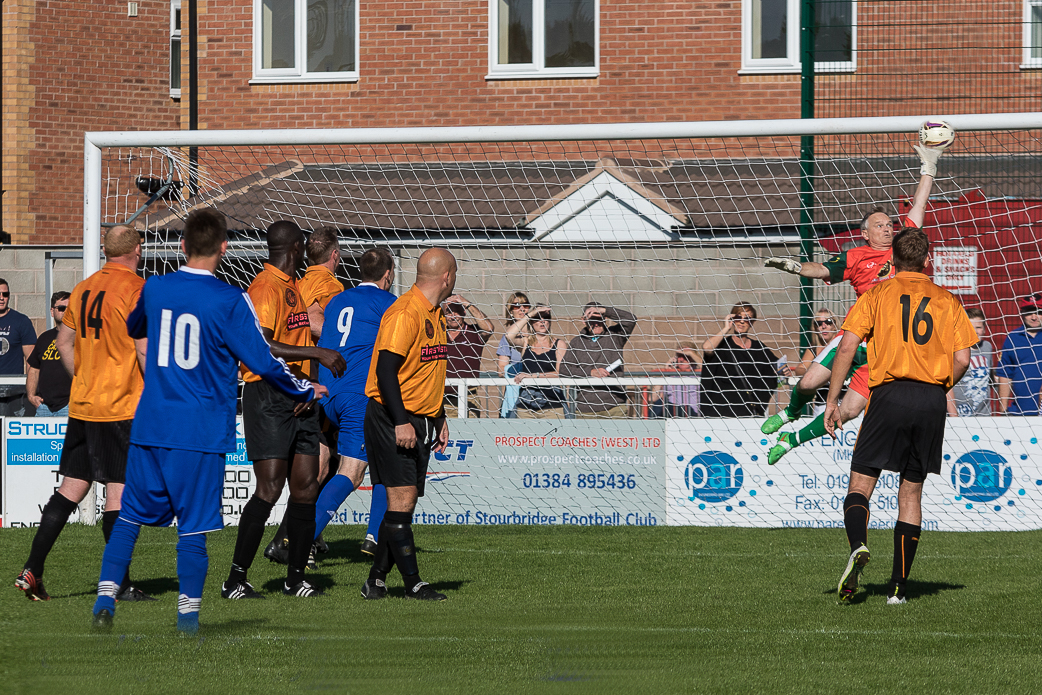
(913, 329)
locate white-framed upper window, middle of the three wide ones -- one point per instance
(543, 39)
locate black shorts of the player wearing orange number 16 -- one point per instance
(903, 432)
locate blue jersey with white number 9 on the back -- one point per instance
(351, 324)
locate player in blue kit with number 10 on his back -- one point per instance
(185, 425)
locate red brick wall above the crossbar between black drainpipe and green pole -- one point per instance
(660, 62)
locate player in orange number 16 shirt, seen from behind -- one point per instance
(920, 342)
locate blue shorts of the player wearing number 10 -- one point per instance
(165, 484)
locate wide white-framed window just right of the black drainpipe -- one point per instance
(306, 41)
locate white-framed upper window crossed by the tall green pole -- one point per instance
(771, 36)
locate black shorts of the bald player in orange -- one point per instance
(390, 465)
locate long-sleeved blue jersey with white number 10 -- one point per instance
(199, 331)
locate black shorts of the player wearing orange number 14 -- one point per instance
(96, 451)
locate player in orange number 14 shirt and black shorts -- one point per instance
(107, 367)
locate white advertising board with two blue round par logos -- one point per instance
(717, 476)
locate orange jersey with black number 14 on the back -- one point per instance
(109, 380)
